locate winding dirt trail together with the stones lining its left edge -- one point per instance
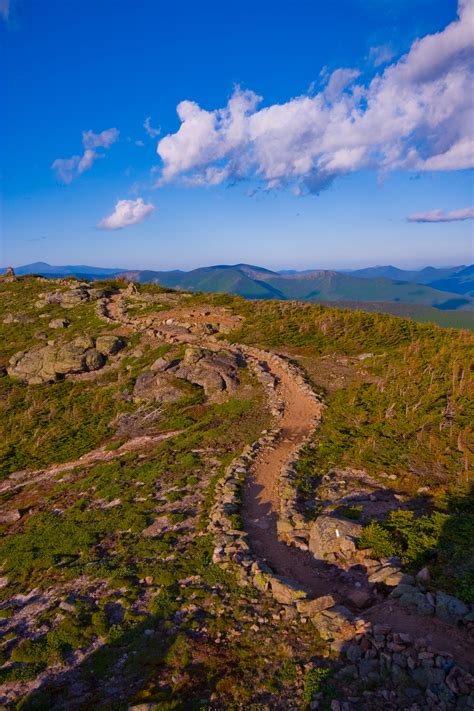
(253, 481)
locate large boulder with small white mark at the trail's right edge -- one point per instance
(330, 535)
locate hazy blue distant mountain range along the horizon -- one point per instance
(445, 288)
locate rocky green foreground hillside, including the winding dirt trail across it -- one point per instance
(172, 469)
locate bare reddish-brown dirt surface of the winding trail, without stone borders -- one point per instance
(260, 507)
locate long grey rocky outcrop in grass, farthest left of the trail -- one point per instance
(52, 362)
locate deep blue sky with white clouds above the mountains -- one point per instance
(323, 171)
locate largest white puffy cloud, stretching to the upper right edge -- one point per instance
(416, 114)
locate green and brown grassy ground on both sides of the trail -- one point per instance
(128, 606)
